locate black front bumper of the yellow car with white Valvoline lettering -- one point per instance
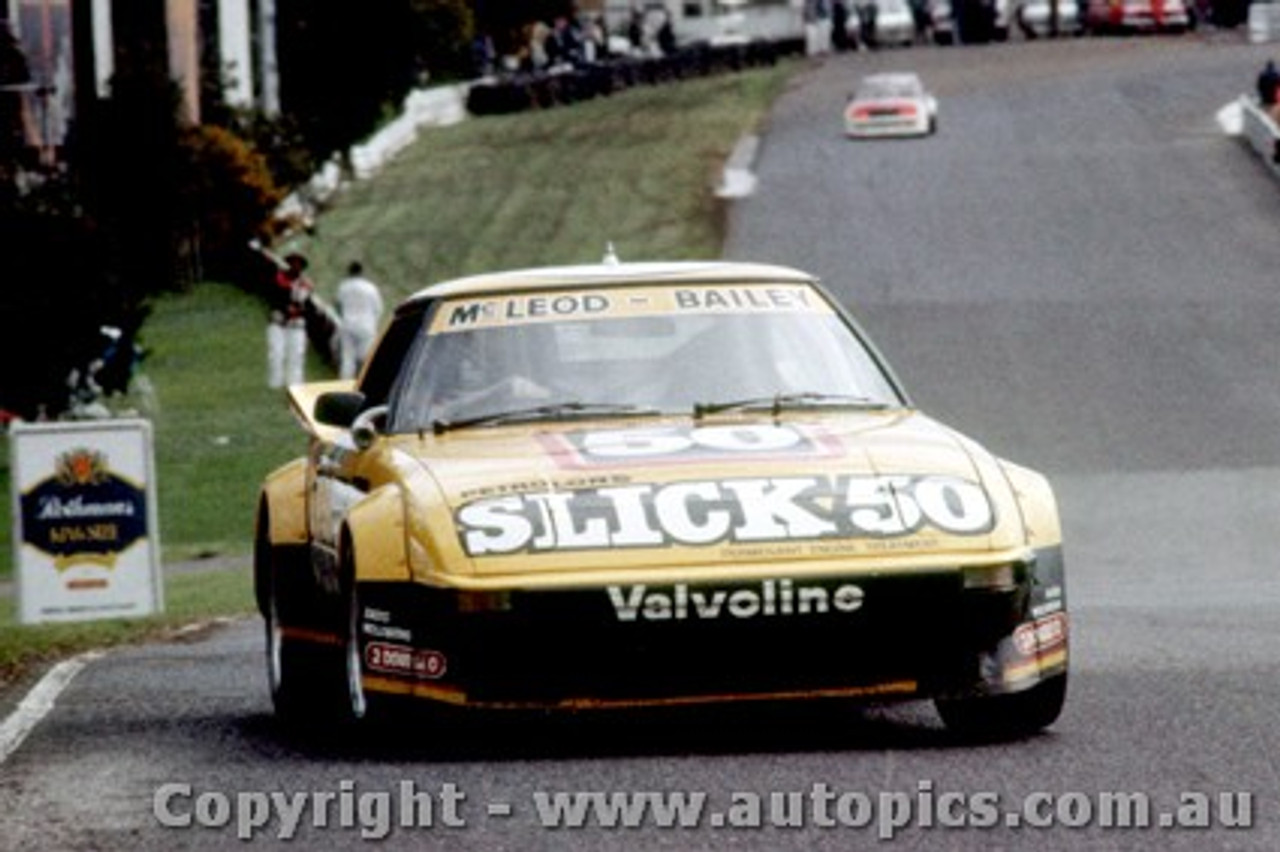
(870, 635)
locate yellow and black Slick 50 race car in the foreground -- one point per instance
(625, 485)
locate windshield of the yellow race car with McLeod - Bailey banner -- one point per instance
(634, 351)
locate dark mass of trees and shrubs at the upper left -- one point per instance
(152, 204)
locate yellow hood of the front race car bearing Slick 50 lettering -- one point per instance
(675, 493)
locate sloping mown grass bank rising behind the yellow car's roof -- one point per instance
(551, 187)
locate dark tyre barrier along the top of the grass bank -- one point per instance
(569, 85)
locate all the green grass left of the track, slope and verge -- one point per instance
(547, 187)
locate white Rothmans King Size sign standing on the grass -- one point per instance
(86, 544)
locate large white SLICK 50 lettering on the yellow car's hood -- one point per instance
(735, 511)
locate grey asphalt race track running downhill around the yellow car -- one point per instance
(1081, 271)
